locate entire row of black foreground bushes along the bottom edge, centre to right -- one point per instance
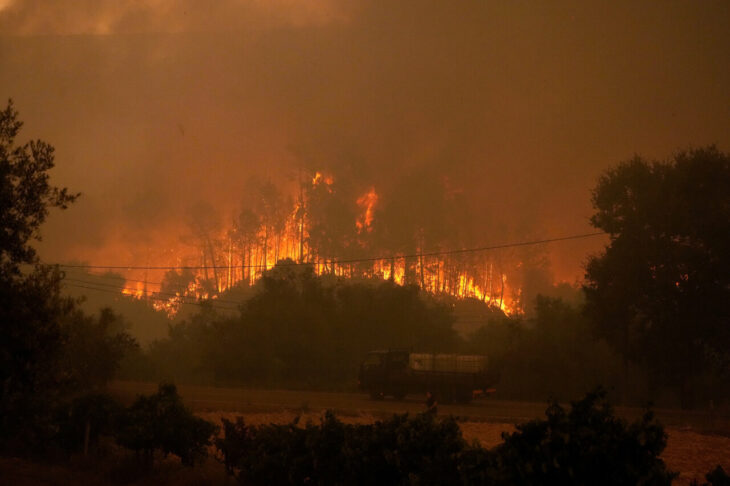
(586, 445)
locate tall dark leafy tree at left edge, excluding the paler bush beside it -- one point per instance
(31, 305)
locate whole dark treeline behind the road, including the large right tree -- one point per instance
(653, 325)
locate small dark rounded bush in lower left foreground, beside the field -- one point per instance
(161, 422)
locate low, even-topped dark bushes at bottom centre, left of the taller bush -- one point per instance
(402, 450)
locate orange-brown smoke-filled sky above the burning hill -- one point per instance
(512, 108)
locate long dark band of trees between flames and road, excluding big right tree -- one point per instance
(300, 330)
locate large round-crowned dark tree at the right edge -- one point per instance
(660, 292)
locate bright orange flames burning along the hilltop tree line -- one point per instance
(231, 256)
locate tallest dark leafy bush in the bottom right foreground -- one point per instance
(587, 445)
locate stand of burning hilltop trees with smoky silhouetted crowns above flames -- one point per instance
(346, 229)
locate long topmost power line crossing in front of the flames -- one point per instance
(353, 260)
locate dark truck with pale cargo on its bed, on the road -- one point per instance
(450, 377)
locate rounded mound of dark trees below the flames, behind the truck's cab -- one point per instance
(299, 330)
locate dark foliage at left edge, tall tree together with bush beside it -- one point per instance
(47, 347)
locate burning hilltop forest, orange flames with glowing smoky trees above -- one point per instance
(320, 225)
